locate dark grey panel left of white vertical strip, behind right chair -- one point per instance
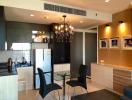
(76, 52)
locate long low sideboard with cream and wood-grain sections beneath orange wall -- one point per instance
(111, 77)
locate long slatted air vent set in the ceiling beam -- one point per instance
(63, 9)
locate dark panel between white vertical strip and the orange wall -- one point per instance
(90, 50)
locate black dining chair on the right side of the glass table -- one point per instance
(81, 78)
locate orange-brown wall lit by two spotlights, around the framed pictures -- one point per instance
(117, 56)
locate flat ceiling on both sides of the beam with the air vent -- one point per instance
(23, 15)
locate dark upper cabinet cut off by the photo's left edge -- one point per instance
(2, 29)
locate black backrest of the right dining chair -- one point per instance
(82, 75)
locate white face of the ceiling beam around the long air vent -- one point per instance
(38, 5)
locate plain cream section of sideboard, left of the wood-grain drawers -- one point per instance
(102, 75)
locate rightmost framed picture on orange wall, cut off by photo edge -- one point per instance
(127, 43)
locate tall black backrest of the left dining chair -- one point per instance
(42, 82)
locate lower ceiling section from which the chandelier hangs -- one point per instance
(23, 15)
